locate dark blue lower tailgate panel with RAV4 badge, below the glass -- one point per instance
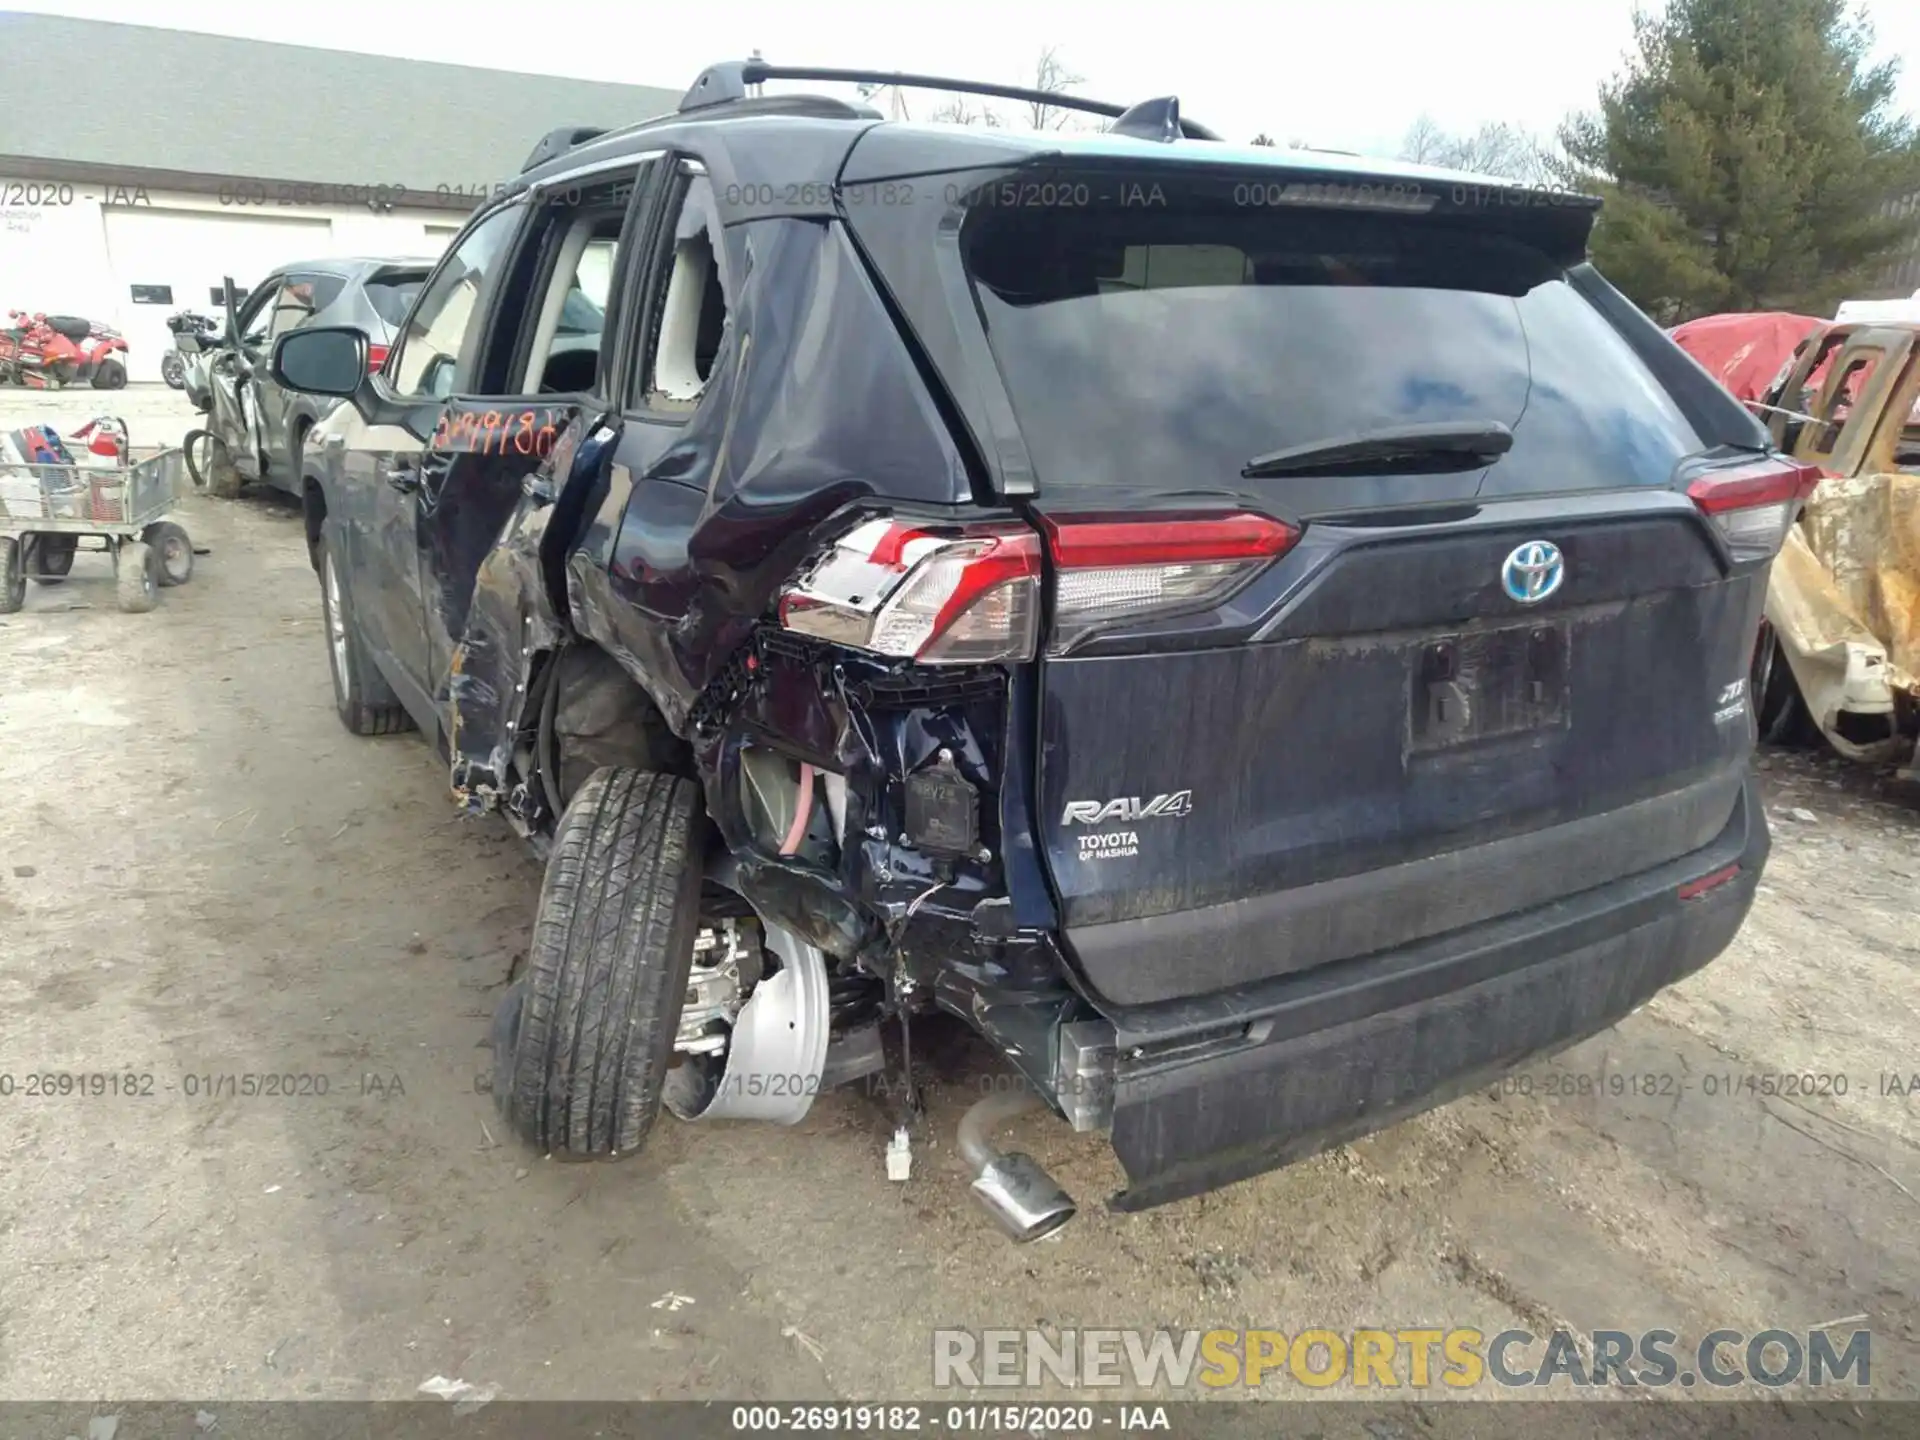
(1389, 748)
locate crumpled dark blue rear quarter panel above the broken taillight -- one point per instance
(813, 406)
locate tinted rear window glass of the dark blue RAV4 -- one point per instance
(1163, 348)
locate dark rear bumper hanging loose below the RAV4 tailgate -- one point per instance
(1222, 1088)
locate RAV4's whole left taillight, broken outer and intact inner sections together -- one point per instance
(972, 596)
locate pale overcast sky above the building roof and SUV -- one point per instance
(1337, 74)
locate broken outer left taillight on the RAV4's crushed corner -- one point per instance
(961, 598)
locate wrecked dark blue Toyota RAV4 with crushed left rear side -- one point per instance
(1260, 636)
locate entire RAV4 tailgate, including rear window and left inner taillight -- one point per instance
(1287, 719)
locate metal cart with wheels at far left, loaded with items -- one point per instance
(49, 510)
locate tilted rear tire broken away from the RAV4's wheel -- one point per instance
(592, 1026)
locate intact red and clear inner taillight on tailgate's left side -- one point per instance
(1141, 567)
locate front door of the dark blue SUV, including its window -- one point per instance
(387, 468)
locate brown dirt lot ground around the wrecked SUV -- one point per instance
(203, 875)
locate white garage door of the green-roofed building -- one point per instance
(187, 252)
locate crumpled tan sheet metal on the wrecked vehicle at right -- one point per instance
(1846, 602)
